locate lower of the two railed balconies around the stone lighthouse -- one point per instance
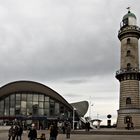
(128, 74)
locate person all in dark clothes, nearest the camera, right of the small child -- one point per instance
(53, 132)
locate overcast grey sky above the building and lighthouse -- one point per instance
(69, 45)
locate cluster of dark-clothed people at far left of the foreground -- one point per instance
(15, 132)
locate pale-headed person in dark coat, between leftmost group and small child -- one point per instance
(32, 135)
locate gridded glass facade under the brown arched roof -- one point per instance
(32, 104)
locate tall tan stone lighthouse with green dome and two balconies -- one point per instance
(129, 73)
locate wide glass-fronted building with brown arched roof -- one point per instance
(32, 101)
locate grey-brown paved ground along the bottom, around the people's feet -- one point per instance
(4, 136)
